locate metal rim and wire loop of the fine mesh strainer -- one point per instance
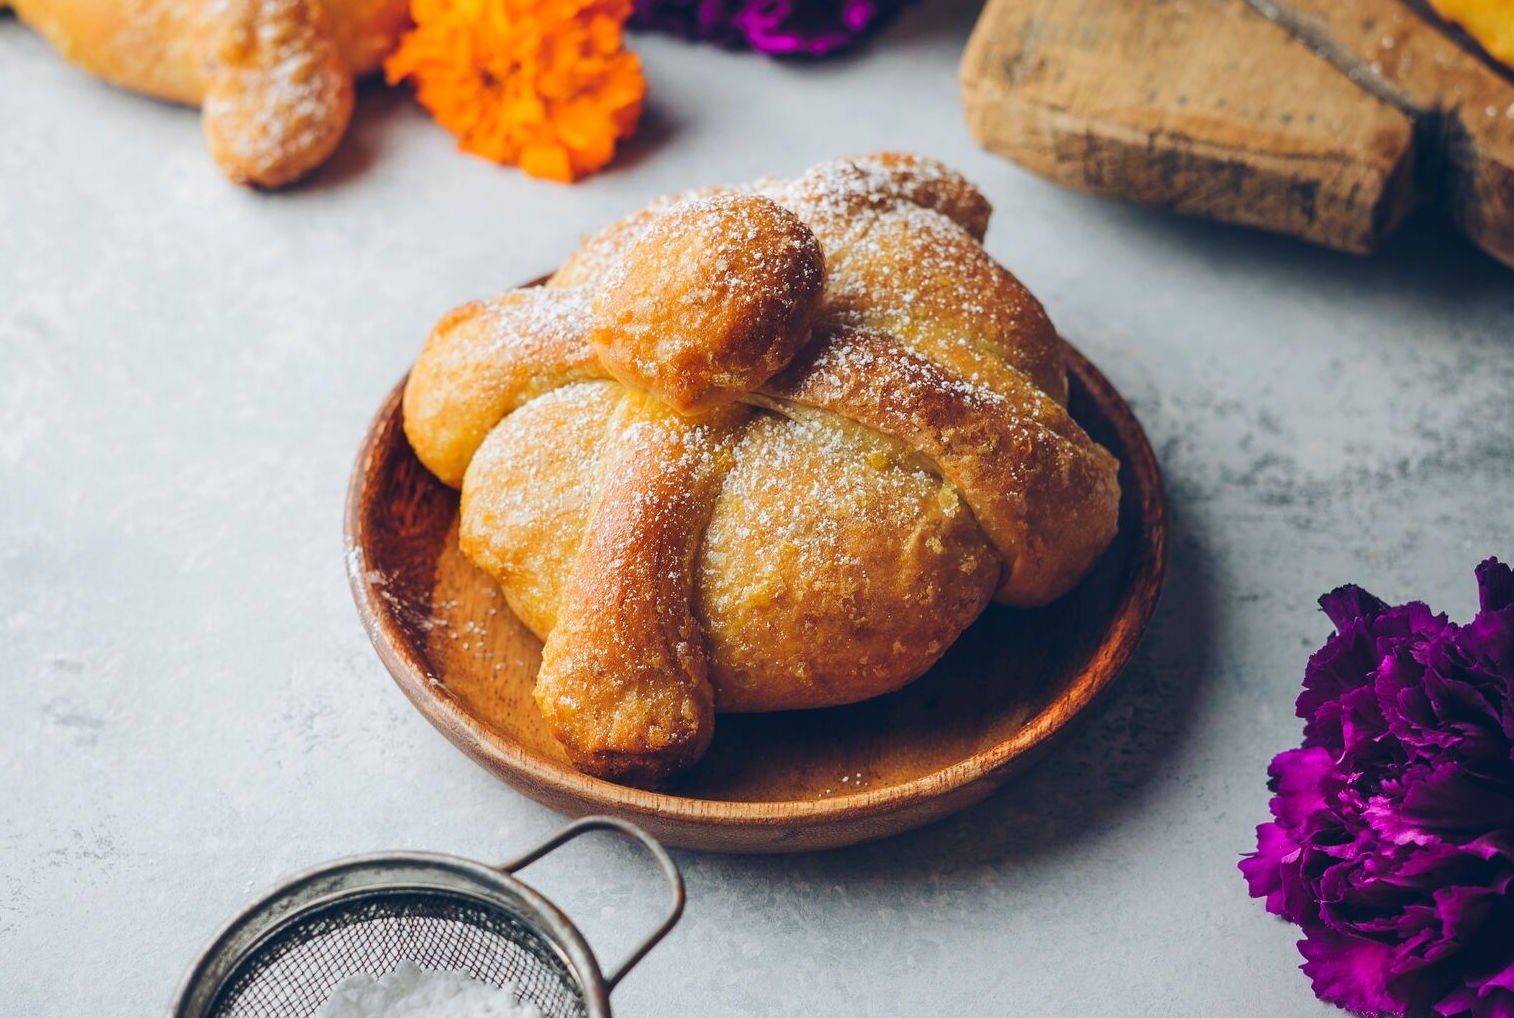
(320, 888)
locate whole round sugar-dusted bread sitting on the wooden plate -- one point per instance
(761, 449)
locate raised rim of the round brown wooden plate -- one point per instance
(1132, 616)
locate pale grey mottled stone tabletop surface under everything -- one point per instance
(192, 710)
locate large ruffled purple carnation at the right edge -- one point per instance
(1394, 837)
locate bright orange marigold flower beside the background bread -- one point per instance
(543, 84)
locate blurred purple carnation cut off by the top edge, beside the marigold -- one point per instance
(777, 28)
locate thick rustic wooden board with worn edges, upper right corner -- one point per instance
(1322, 119)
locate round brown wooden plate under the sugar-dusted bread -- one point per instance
(771, 782)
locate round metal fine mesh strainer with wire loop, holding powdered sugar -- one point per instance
(285, 954)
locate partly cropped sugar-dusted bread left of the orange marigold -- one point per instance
(275, 78)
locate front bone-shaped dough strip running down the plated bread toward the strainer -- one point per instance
(625, 681)
